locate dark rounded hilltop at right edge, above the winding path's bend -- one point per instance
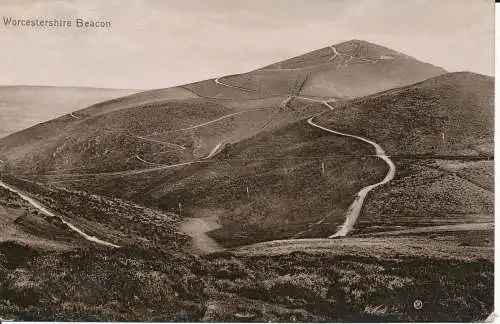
(447, 115)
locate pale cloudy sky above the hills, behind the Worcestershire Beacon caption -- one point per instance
(161, 43)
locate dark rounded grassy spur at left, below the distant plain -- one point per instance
(108, 142)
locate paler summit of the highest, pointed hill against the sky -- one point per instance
(346, 70)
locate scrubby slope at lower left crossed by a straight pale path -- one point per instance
(101, 219)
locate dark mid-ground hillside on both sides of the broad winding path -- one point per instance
(298, 180)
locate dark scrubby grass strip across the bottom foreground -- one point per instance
(150, 284)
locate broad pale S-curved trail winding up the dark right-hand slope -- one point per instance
(355, 208)
